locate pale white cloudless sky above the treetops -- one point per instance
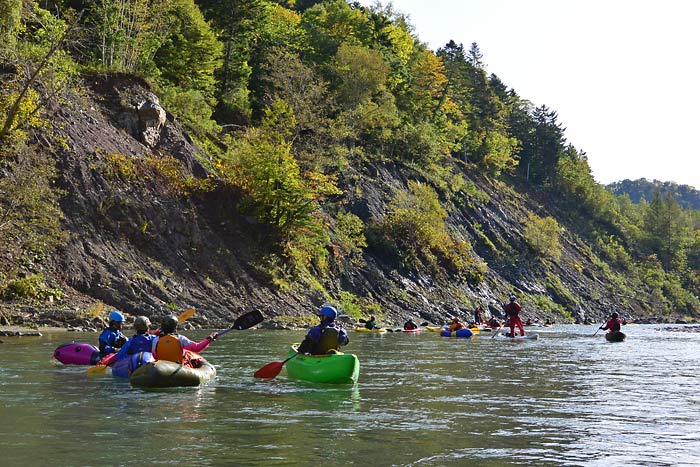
(622, 75)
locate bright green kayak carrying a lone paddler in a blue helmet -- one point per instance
(336, 368)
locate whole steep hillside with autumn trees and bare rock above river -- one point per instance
(280, 155)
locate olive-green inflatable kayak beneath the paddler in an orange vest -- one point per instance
(165, 374)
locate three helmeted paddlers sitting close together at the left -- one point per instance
(164, 343)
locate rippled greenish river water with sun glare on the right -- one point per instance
(567, 399)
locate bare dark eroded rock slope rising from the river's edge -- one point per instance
(145, 241)
